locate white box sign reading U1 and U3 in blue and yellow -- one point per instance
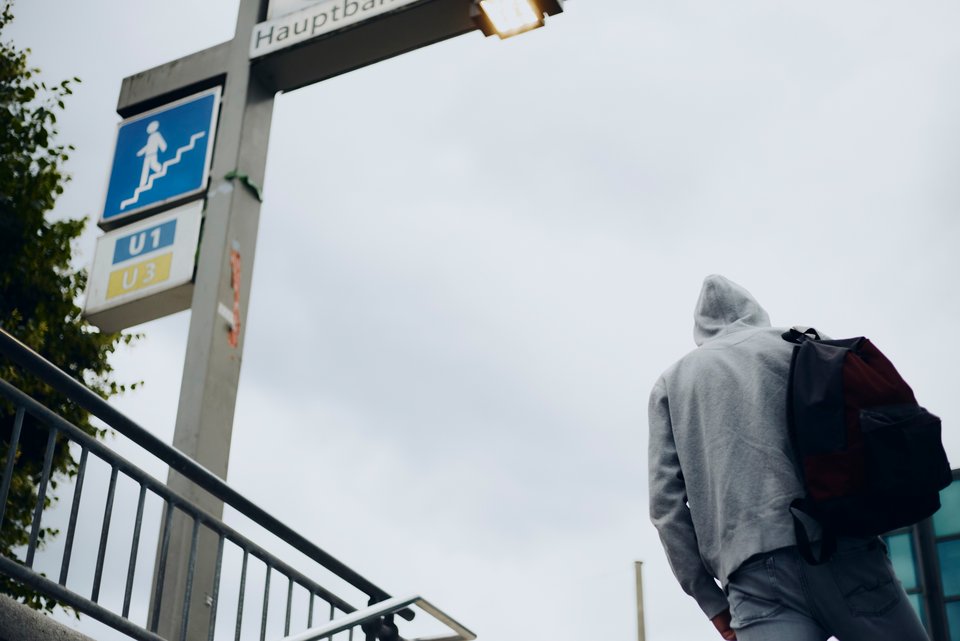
(144, 270)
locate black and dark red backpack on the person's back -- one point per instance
(870, 457)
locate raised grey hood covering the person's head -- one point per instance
(725, 307)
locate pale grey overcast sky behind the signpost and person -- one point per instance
(474, 261)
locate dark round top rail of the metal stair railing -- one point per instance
(75, 391)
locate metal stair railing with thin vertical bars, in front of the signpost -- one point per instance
(375, 620)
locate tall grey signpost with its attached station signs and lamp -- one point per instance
(163, 158)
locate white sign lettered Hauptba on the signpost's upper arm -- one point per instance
(313, 21)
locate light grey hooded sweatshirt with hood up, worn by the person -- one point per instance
(721, 473)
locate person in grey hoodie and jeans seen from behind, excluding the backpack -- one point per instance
(722, 477)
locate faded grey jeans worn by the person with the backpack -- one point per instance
(854, 596)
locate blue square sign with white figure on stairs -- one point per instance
(161, 158)
